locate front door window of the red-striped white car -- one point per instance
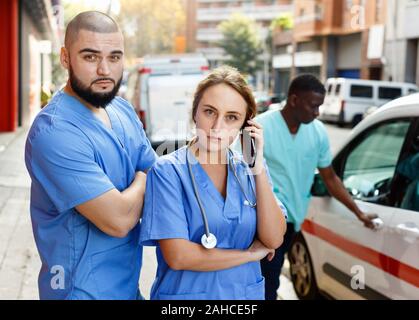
(371, 164)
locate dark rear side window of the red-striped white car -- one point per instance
(408, 174)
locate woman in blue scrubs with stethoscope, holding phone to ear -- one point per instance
(244, 220)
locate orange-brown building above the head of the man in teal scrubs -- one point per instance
(331, 38)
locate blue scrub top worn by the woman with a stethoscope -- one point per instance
(171, 211)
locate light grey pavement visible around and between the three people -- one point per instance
(19, 260)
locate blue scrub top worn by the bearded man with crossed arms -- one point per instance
(72, 157)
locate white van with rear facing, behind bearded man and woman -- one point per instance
(161, 90)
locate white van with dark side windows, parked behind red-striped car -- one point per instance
(347, 99)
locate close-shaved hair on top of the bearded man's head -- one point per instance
(94, 21)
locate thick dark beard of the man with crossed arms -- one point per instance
(96, 99)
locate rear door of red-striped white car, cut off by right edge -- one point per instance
(403, 241)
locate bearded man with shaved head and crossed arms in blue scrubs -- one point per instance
(86, 154)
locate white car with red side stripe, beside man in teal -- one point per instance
(334, 254)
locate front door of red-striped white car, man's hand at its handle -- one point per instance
(352, 259)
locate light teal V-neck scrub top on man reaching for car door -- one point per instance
(293, 159)
